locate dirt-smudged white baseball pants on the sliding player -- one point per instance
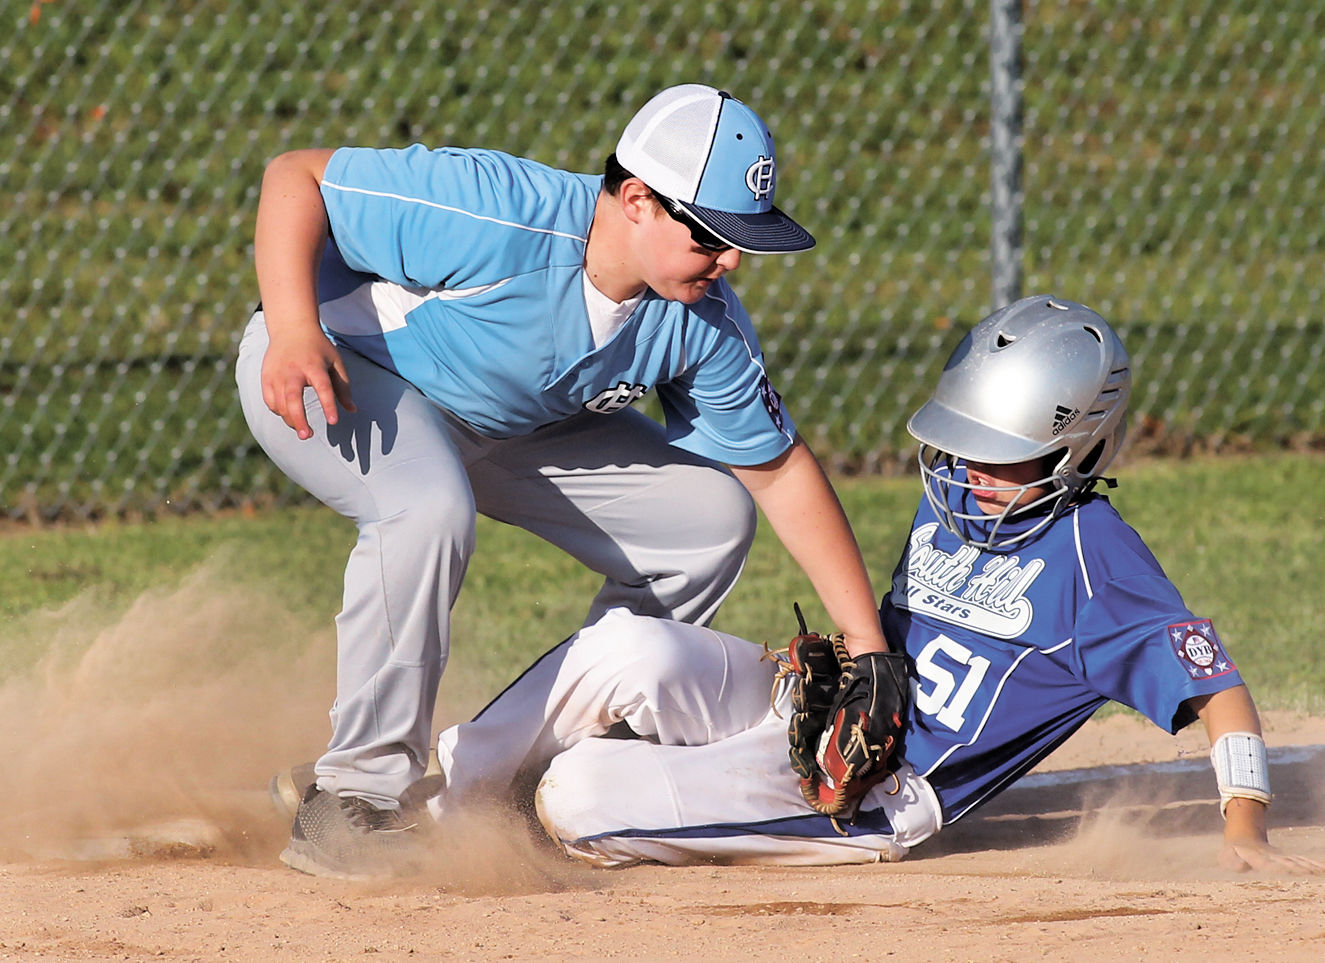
(708, 781)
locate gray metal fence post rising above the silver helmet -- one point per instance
(1006, 150)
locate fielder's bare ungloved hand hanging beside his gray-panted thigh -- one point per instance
(299, 361)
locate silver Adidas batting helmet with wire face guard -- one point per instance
(1042, 378)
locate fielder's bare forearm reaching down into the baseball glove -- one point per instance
(804, 511)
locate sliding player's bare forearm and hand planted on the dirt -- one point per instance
(1232, 713)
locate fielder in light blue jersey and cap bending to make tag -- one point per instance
(454, 332)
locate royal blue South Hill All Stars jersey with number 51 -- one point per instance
(1014, 651)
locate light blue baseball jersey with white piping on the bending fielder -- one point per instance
(463, 272)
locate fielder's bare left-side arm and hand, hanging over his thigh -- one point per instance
(292, 231)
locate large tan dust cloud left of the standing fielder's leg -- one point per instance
(178, 708)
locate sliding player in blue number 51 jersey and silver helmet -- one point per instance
(1024, 603)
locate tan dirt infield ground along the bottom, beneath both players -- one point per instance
(1100, 866)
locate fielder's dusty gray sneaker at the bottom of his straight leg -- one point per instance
(350, 839)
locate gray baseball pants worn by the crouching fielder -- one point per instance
(668, 531)
